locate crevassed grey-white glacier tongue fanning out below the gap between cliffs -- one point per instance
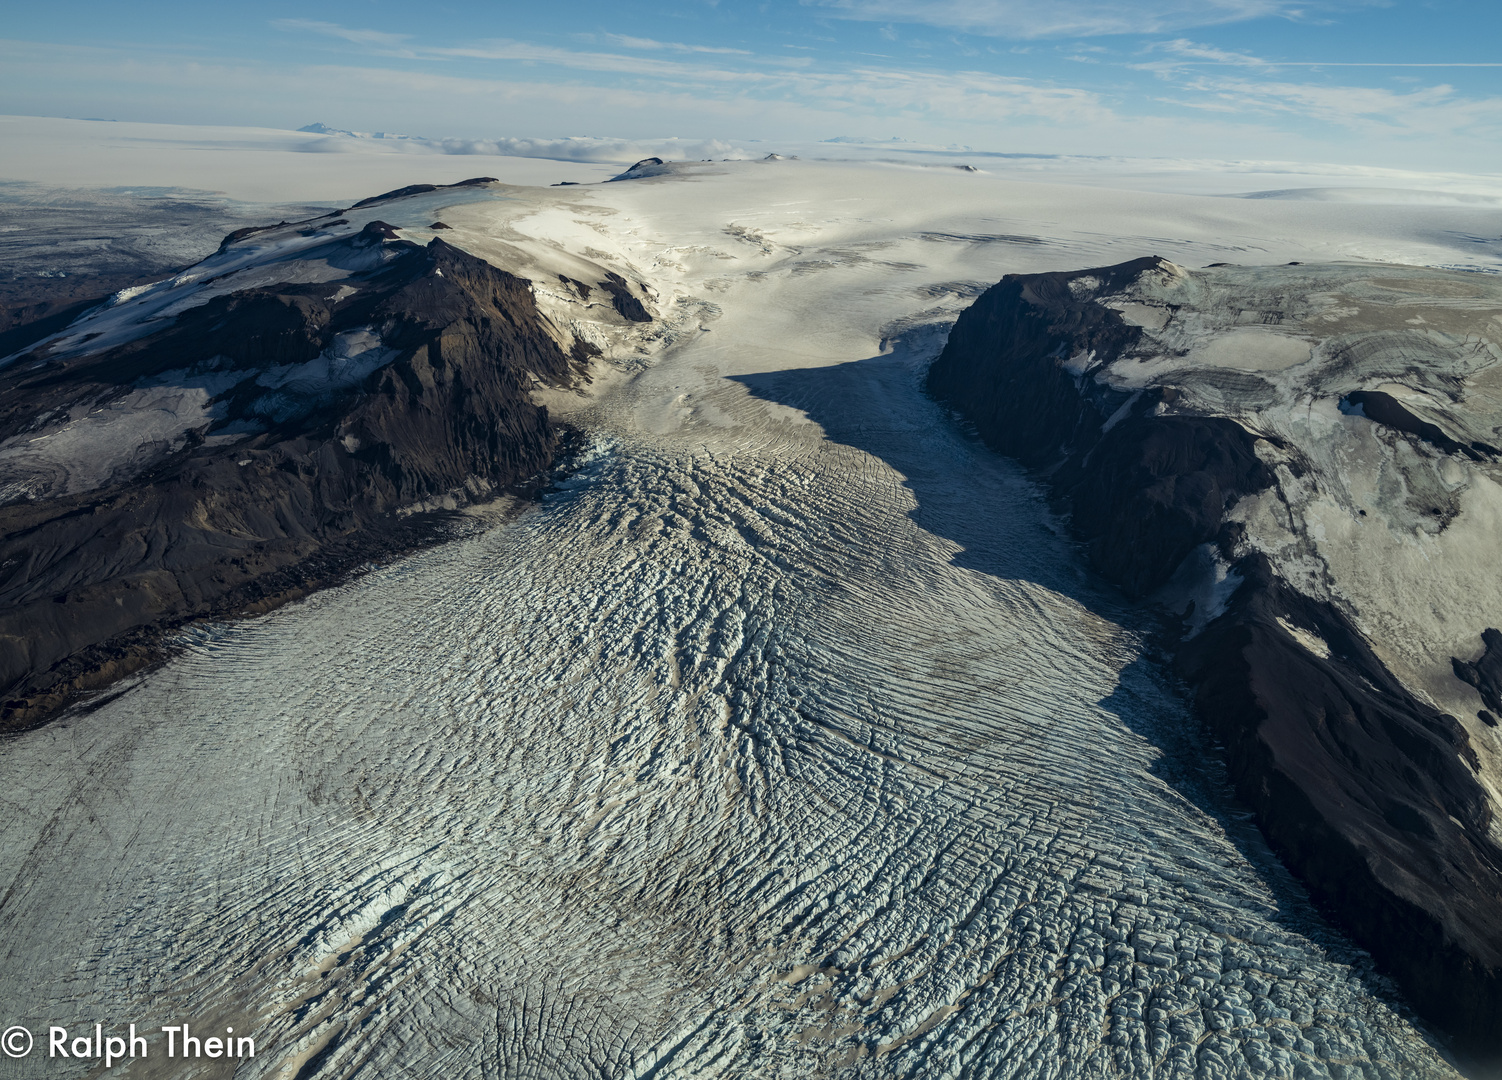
(717, 764)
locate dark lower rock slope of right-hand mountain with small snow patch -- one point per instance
(1366, 792)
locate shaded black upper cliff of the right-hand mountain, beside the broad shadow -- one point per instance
(1144, 492)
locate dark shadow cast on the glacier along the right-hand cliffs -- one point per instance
(1004, 526)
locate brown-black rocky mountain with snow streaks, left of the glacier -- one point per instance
(250, 430)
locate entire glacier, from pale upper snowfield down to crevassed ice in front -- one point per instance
(789, 737)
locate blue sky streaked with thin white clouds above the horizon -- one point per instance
(1407, 83)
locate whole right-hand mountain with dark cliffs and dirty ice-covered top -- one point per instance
(1301, 465)
